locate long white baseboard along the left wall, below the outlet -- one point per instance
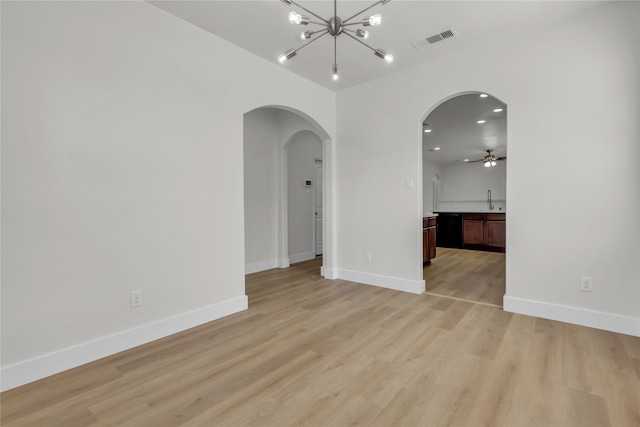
(49, 364)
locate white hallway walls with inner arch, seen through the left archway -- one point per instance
(268, 132)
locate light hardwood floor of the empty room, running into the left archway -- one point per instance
(316, 352)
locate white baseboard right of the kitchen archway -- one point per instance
(578, 316)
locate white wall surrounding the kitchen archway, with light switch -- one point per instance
(572, 90)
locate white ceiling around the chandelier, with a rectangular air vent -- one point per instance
(262, 27)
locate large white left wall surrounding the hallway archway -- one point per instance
(122, 169)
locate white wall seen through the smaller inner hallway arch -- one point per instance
(302, 151)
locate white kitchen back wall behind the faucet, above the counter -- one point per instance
(464, 186)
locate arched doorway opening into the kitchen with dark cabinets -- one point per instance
(464, 148)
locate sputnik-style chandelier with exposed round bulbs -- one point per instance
(335, 26)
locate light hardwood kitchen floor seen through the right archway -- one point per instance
(468, 275)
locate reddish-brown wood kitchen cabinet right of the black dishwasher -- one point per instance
(484, 231)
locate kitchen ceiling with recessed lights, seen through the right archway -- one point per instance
(458, 135)
